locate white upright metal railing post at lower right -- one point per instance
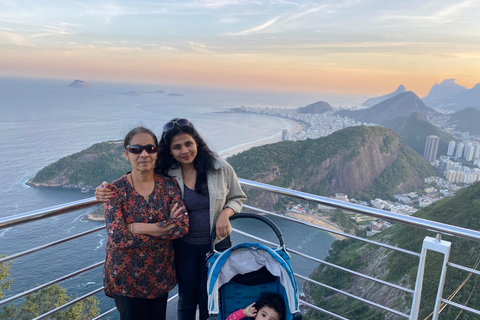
(437, 245)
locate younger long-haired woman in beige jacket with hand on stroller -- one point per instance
(211, 193)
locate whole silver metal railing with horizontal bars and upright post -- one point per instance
(429, 244)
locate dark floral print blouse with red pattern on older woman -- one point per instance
(141, 266)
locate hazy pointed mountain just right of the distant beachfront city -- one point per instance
(400, 105)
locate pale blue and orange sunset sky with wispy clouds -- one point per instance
(366, 47)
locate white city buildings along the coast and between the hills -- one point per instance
(459, 167)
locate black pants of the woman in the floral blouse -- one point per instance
(141, 309)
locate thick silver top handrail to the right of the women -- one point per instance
(381, 214)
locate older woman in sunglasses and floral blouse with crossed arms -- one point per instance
(144, 214)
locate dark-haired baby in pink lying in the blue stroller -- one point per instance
(270, 306)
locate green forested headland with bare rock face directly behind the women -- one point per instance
(364, 162)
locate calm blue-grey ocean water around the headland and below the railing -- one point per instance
(42, 121)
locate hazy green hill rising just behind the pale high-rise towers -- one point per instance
(414, 130)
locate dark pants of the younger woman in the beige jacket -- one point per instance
(192, 272)
